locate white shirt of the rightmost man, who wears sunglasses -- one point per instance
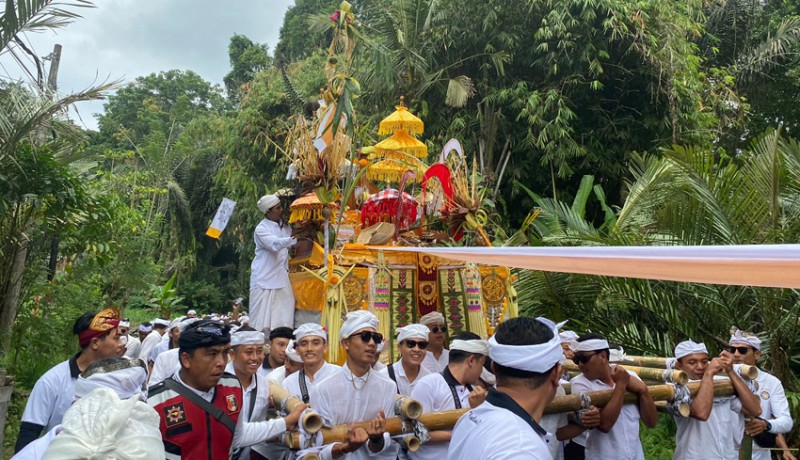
(774, 409)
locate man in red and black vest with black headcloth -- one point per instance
(199, 406)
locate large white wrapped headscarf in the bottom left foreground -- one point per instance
(103, 426)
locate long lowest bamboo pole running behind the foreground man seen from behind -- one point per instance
(445, 420)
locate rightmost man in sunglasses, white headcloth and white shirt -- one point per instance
(775, 418)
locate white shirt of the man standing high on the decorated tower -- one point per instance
(270, 267)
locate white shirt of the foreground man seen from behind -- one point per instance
(494, 432)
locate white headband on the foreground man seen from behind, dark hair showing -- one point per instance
(532, 358)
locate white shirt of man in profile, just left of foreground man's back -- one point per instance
(434, 394)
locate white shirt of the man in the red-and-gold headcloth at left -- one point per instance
(52, 395)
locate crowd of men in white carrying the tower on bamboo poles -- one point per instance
(202, 390)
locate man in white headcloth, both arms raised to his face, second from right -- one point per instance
(707, 433)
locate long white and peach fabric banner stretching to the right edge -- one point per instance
(744, 265)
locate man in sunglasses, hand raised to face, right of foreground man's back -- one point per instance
(617, 436)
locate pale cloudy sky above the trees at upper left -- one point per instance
(124, 39)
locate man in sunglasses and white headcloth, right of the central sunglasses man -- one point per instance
(412, 341)
